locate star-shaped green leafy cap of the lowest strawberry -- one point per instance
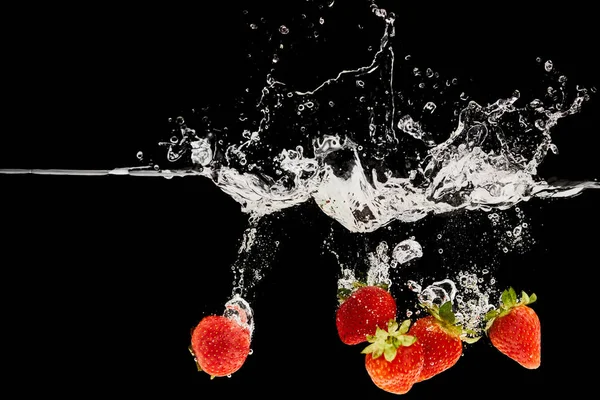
(387, 342)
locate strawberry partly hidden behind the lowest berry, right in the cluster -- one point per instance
(441, 339)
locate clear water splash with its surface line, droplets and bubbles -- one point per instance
(366, 154)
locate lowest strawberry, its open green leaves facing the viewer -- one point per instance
(399, 368)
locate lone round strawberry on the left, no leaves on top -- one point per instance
(220, 345)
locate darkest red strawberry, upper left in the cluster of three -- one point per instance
(362, 312)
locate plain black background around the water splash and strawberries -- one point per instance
(104, 277)
